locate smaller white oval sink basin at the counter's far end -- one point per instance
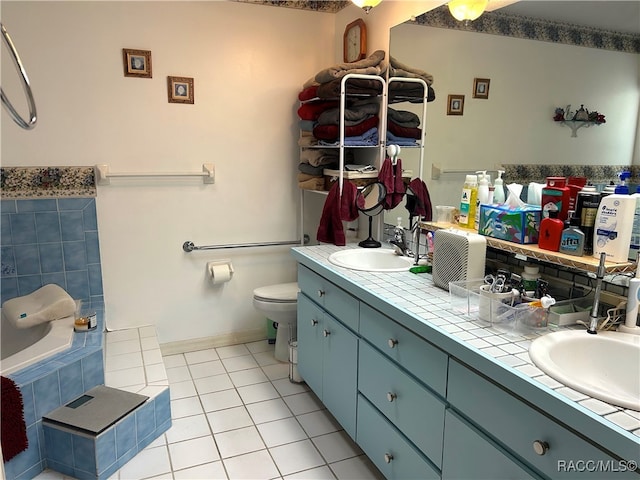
(371, 260)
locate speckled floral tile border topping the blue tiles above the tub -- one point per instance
(46, 182)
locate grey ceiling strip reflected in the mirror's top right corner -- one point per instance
(617, 16)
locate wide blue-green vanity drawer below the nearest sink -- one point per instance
(521, 428)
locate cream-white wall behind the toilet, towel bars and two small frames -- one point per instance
(249, 63)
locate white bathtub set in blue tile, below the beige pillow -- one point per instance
(20, 348)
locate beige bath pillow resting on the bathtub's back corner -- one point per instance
(45, 304)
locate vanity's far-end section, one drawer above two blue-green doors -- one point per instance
(327, 348)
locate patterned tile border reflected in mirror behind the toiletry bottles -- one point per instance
(595, 173)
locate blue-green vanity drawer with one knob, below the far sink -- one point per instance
(331, 297)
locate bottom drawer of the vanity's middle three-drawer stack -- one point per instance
(394, 456)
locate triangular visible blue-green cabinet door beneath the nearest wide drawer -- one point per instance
(468, 454)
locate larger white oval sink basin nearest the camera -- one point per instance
(605, 366)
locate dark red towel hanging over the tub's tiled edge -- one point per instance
(13, 431)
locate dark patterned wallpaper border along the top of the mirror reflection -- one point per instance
(497, 23)
